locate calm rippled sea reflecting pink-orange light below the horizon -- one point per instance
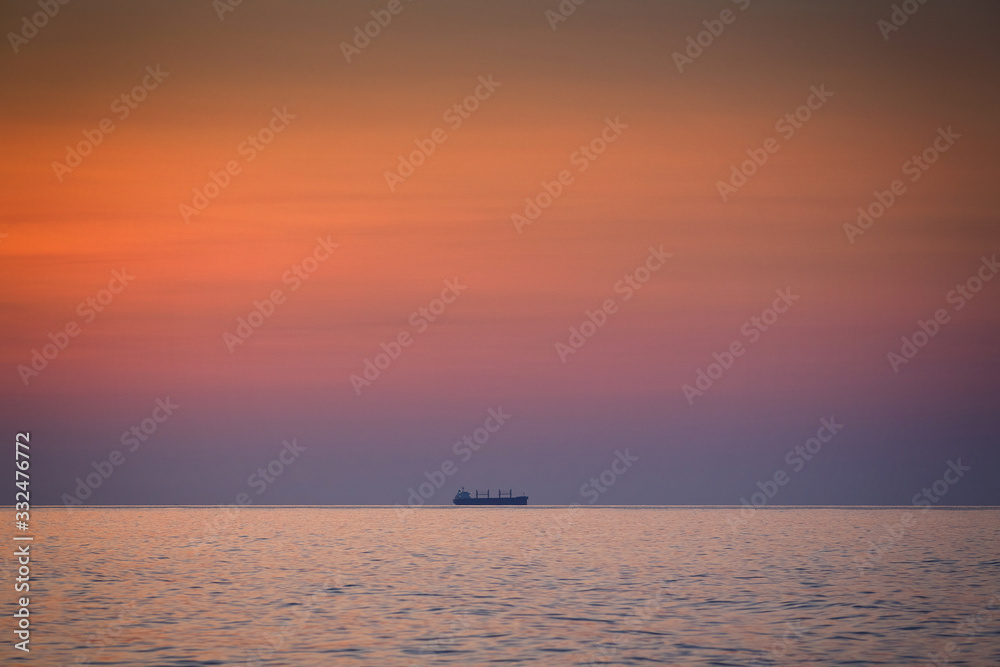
(536, 585)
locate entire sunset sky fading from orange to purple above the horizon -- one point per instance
(454, 205)
